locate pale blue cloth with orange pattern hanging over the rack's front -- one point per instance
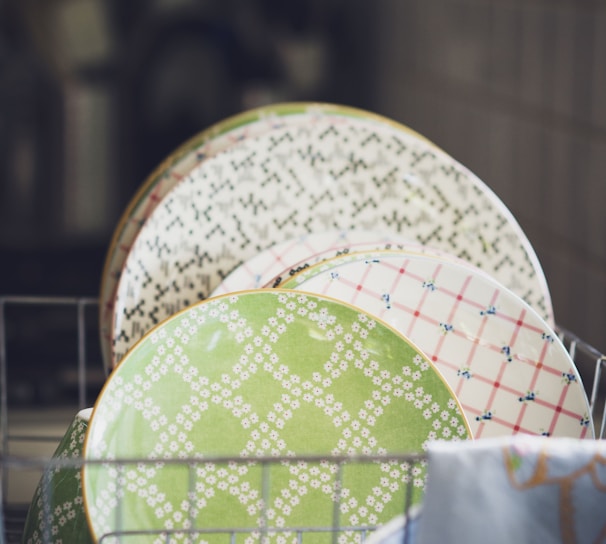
(508, 490)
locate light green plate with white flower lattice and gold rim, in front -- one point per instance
(262, 373)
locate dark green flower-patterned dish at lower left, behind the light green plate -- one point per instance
(56, 513)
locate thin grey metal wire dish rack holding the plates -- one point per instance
(51, 368)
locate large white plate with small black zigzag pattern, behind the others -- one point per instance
(297, 180)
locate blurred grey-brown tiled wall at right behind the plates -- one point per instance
(516, 91)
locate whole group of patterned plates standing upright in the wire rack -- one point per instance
(311, 279)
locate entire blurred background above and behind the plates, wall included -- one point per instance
(95, 93)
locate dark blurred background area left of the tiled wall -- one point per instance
(94, 95)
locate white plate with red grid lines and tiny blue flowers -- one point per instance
(506, 365)
